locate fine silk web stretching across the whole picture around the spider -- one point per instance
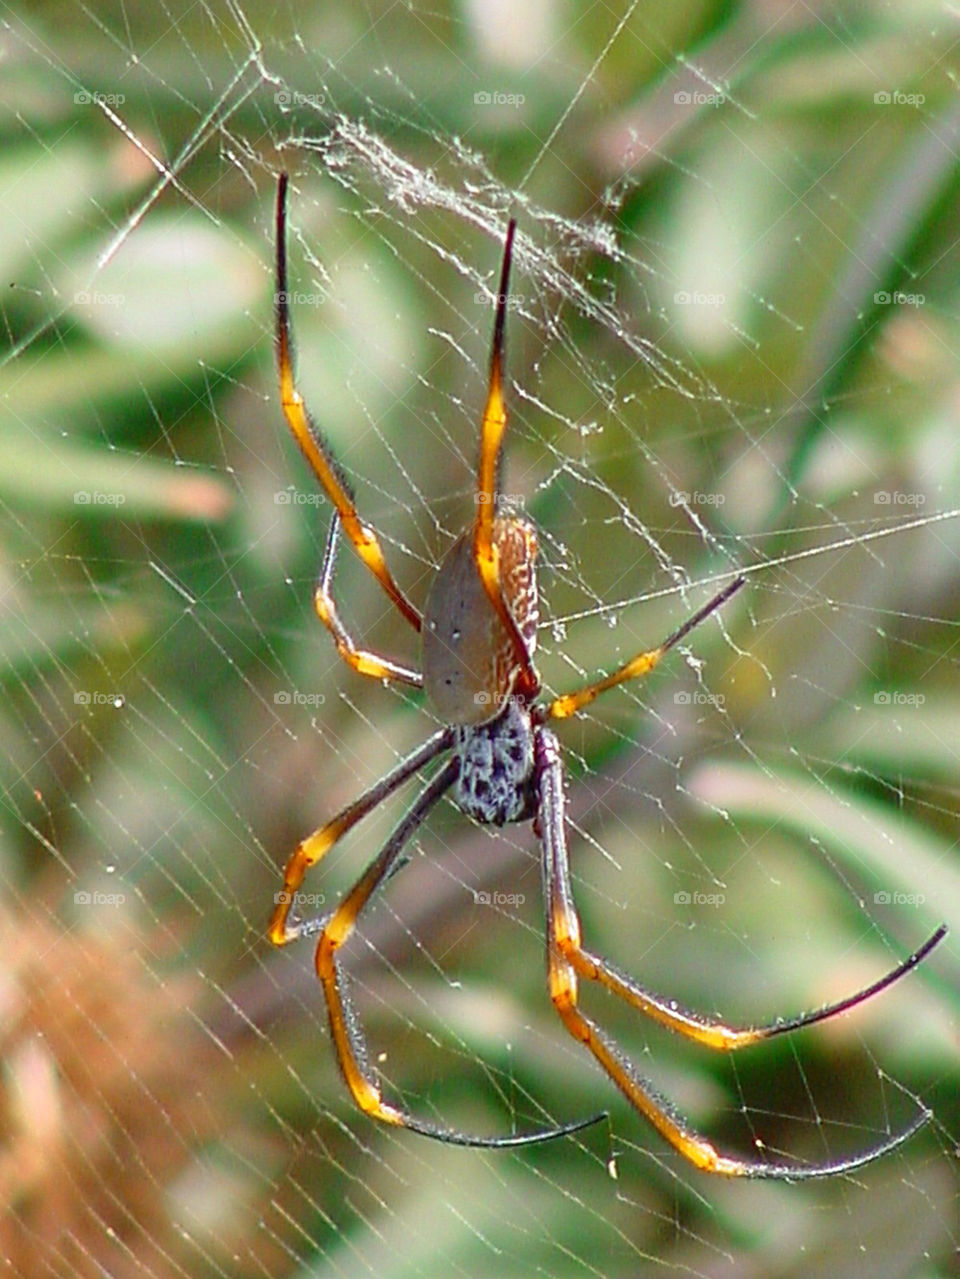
(732, 346)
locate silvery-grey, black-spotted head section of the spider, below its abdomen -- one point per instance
(497, 783)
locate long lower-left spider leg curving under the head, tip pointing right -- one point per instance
(348, 1037)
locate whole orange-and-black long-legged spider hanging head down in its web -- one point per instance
(479, 638)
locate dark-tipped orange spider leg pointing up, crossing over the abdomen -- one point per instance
(486, 554)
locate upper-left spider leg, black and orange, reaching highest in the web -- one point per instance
(311, 442)
